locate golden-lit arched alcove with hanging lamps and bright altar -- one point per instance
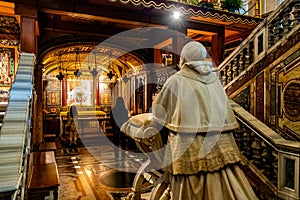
(89, 76)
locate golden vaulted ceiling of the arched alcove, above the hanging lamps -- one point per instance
(86, 57)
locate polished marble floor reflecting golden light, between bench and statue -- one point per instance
(90, 171)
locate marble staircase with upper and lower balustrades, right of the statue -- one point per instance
(250, 77)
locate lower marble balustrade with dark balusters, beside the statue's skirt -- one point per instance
(272, 158)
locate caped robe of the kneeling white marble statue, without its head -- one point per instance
(201, 159)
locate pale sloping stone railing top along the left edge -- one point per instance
(15, 132)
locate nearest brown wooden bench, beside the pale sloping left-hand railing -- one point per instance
(43, 176)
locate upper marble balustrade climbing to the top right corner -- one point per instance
(281, 25)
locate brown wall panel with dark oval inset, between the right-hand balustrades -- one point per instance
(285, 81)
